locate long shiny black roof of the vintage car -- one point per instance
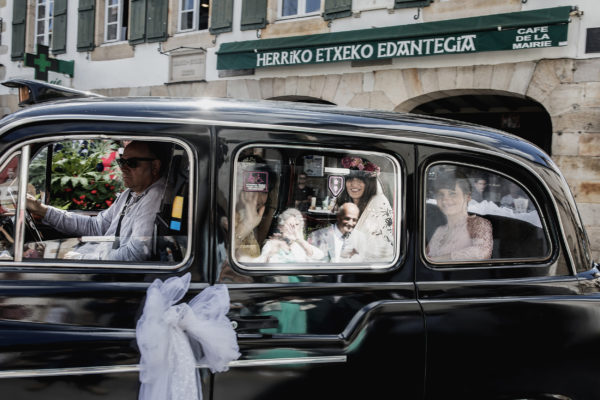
(285, 115)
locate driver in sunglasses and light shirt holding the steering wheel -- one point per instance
(129, 220)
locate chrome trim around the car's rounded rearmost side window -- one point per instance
(444, 265)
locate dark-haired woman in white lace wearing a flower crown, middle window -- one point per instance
(376, 215)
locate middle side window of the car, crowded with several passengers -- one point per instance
(309, 208)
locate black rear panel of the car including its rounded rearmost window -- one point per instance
(508, 322)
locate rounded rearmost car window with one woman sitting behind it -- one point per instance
(474, 215)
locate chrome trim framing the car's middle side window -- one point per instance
(397, 169)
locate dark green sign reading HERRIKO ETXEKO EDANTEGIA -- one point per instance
(513, 31)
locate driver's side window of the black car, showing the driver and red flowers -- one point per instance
(105, 201)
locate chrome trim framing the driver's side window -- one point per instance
(94, 264)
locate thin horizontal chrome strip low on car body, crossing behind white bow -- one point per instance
(120, 369)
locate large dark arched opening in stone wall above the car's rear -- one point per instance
(518, 115)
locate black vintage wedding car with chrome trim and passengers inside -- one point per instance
(491, 294)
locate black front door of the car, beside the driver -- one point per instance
(68, 325)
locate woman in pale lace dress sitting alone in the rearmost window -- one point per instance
(464, 237)
